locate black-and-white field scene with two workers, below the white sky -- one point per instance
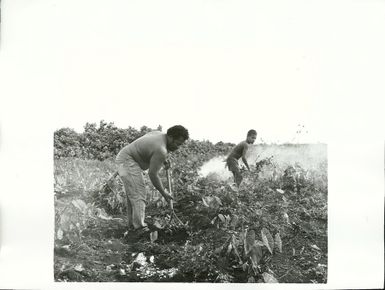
(202, 212)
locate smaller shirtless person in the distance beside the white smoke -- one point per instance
(238, 152)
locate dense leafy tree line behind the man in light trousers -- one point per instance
(104, 141)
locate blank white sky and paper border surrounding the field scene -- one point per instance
(218, 67)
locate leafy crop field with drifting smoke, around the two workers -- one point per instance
(272, 230)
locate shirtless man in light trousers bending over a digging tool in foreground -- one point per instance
(147, 152)
